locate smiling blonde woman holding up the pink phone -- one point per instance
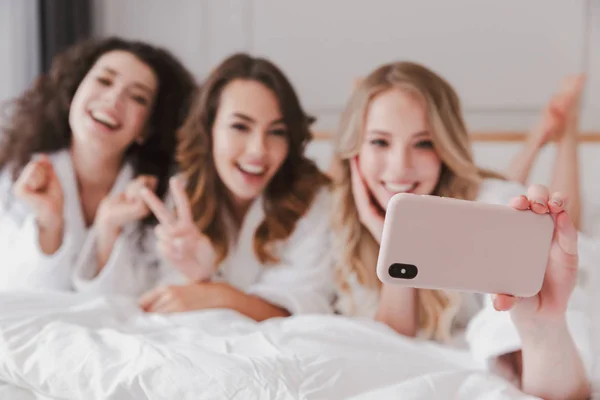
(403, 132)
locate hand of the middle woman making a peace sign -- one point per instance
(178, 239)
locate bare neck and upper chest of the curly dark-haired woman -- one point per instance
(93, 170)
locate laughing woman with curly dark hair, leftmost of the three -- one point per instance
(75, 150)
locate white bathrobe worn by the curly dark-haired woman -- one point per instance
(72, 267)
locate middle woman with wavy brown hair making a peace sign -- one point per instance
(251, 226)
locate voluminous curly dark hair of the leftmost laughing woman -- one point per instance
(38, 120)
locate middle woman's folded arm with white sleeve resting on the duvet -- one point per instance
(301, 283)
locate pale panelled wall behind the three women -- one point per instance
(504, 58)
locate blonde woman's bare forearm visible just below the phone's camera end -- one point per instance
(398, 309)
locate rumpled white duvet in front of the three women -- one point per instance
(62, 346)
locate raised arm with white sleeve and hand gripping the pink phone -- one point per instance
(547, 354)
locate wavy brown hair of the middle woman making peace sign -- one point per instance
(291, 191)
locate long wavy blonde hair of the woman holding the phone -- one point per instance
(459, 178)
